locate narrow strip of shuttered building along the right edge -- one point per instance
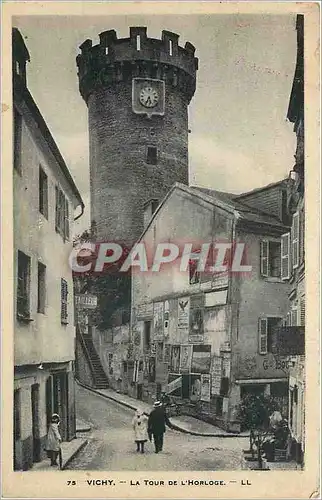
(291, 342)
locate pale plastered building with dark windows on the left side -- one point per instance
(45, 198)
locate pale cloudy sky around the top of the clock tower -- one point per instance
(240, 138)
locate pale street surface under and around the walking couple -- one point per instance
(111, 446)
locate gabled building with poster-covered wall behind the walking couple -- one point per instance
(206, 338)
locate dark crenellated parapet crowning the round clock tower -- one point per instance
(116, 60)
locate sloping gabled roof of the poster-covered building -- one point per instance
(224, 200)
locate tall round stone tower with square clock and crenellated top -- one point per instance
(137, 90)
